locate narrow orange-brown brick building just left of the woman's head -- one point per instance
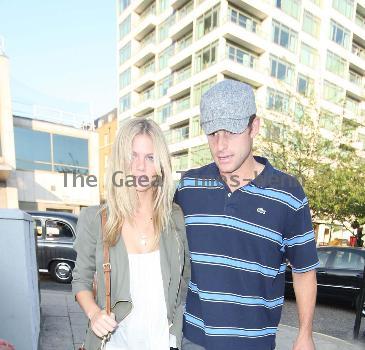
(106, 127)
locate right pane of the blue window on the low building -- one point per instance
(70, 151)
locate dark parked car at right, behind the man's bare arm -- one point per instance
(339, 274)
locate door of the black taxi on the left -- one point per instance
(59, 238)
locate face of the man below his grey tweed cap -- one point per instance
(230, 150)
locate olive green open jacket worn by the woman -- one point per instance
(175, 269)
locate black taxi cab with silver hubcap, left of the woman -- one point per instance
(55, 233)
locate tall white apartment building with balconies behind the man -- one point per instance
(171, 52)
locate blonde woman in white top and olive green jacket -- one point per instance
(149, 256)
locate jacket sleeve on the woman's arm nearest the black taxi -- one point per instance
(85, 247)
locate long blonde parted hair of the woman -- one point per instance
(122, 201)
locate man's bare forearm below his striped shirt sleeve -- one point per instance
(305, 288)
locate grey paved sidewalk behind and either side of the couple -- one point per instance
(63, 327)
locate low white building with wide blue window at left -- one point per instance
(44, 164)
